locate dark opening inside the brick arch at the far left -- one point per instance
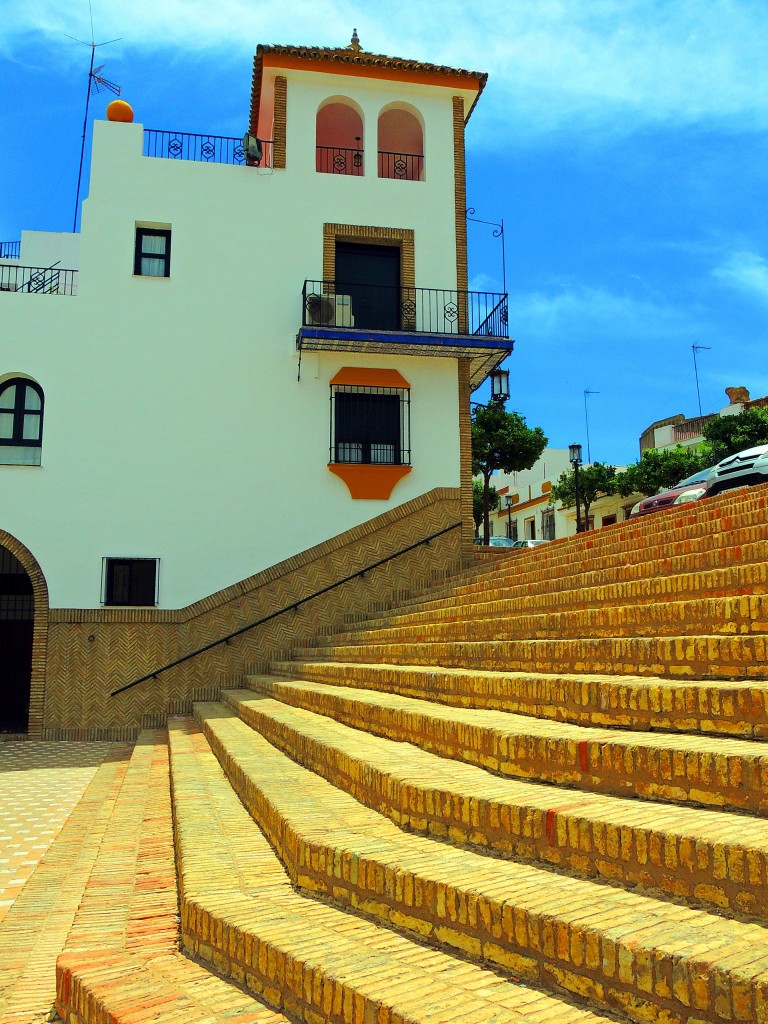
(17, 626)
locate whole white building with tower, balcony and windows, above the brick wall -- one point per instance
(228, 324)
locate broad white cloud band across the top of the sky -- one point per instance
(585, 67)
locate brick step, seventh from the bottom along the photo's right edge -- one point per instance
(485, 602)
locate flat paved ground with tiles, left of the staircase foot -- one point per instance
(49, 791)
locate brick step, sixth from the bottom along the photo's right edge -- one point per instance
(713, 617)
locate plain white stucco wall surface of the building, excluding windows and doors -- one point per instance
(176, 426)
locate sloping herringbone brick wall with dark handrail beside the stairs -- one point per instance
(92, 653)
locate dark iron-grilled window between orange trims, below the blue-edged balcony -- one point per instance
(371, 425)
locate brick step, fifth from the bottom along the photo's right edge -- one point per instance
(692, 658)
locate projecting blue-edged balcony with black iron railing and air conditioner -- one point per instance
(377, 319)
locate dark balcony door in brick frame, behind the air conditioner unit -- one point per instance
(371, 276)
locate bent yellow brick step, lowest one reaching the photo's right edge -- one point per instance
(649, 958)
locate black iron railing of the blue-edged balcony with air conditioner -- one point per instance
(414, 311)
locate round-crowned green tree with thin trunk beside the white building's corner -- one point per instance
(501, 441)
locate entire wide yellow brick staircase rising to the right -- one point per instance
(536, 796)
